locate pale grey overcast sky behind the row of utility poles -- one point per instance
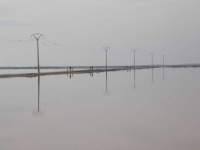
(75, 31)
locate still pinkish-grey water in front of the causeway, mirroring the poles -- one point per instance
(78, 113)
